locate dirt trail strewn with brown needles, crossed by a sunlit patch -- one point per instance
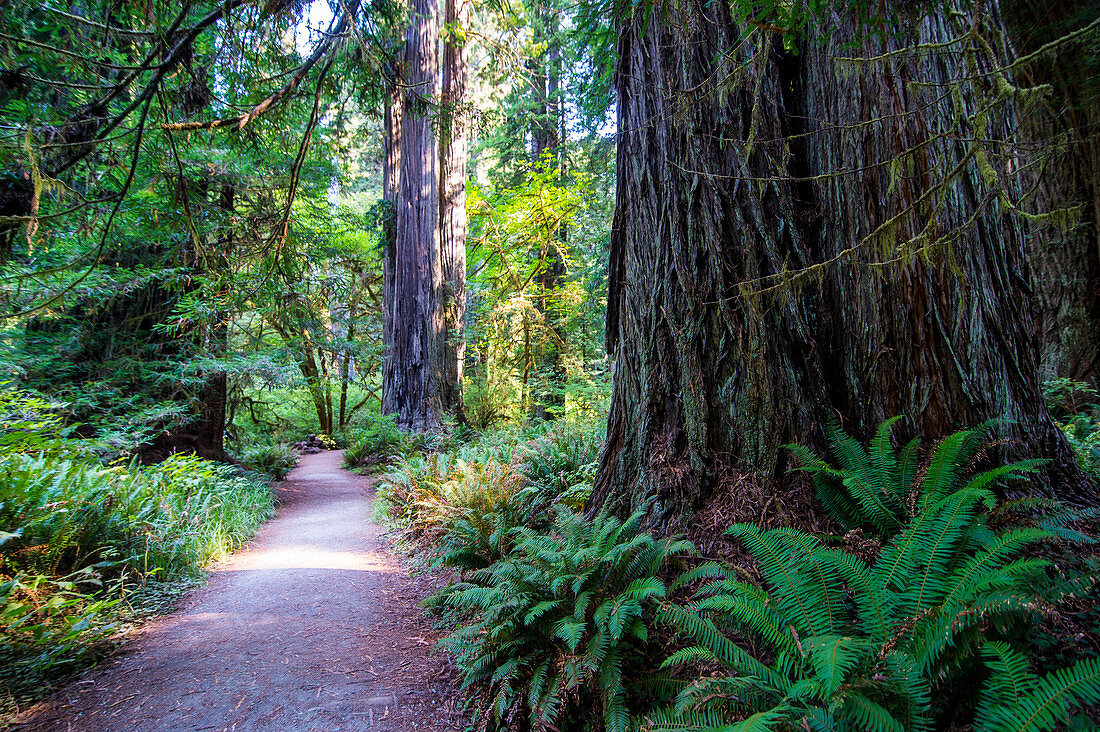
(313, 627)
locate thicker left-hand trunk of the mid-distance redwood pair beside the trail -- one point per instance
(413, 375)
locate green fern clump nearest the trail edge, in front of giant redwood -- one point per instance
(555, 625)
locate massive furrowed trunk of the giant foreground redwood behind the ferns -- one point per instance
(810, 237)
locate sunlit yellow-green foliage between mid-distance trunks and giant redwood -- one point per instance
(515, 239)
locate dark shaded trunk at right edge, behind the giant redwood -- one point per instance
(1065, 260)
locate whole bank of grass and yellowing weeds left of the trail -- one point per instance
(83, 545)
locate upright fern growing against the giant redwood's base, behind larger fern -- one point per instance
(879, 488)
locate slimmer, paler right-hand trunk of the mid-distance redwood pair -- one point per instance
(453, 202)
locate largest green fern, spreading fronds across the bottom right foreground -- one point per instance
(833, 642)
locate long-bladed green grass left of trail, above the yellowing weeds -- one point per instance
(170, 519)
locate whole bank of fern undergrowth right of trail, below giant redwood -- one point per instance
(919, 618)
